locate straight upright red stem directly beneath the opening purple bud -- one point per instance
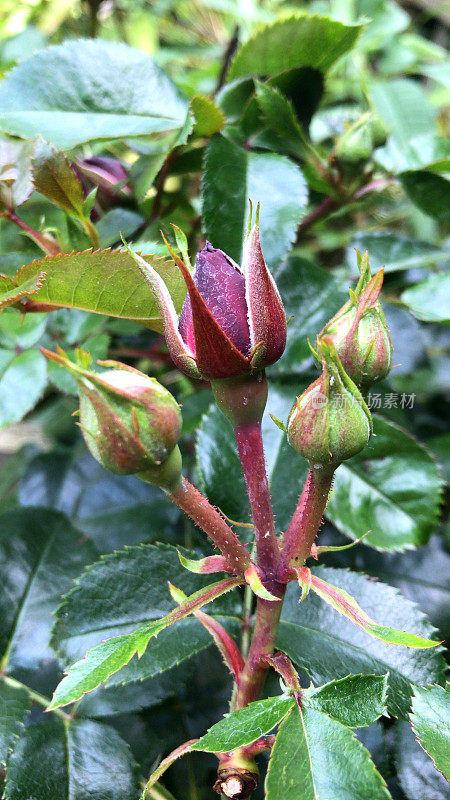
(251, 452)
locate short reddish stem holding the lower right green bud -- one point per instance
(299, 537)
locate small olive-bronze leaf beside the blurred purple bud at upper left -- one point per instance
(54, 178)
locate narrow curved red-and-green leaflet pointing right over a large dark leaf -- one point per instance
(346, 605)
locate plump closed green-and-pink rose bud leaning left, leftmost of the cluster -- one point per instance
(130, 422)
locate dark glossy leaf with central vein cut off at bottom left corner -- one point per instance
(71, 761)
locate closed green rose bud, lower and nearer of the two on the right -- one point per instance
(330, 421)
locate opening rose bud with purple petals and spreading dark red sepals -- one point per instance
(233, 321)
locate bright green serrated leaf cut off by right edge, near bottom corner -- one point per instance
(430, 719)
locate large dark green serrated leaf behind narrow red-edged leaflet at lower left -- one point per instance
(120, 594)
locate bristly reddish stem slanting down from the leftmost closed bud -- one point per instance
(199, 509)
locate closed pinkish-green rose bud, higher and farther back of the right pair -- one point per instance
(359, 330)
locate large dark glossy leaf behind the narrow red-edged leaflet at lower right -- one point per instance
(327, 646)
